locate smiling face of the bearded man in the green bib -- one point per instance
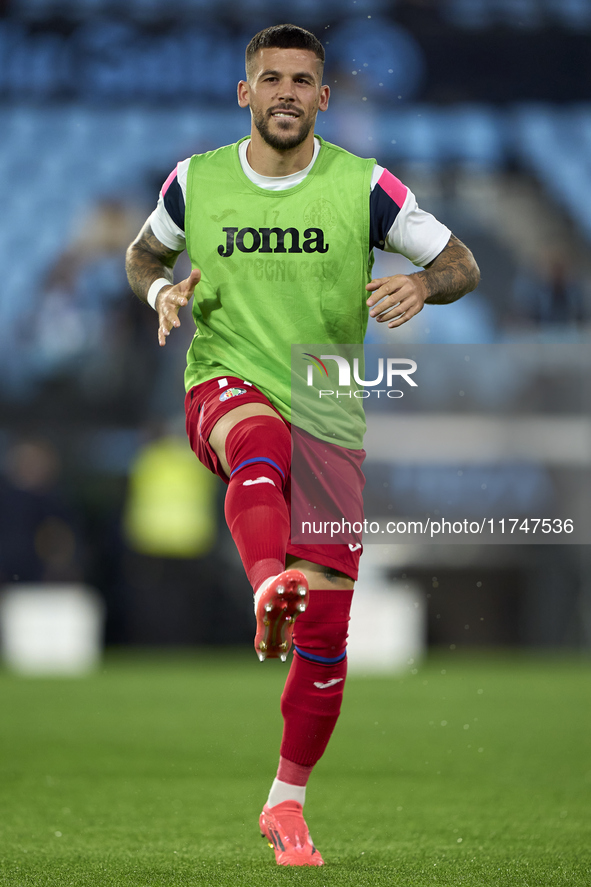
(284, 92)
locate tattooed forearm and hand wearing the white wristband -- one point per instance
(148, 260)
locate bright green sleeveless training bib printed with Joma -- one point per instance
(279, 268)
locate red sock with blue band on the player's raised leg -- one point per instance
(258, 451)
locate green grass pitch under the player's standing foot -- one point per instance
(466, 769)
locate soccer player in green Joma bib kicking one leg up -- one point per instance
(280, 229)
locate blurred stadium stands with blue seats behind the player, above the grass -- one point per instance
(481, 106)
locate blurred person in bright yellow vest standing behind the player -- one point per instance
(173, 589)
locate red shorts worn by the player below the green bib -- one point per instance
(326, 483)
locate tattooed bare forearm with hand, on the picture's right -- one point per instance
(451, 275)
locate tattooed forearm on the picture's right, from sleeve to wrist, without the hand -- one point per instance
(451, 275)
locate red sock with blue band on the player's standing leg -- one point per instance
(311, 700)
